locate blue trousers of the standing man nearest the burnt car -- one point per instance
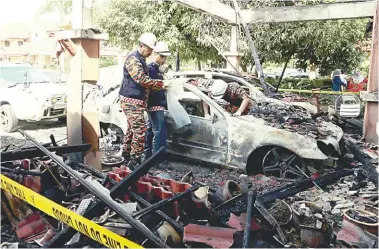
(156, 133)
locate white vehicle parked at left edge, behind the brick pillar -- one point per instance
(28, 94)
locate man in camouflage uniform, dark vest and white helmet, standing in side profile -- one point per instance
(134, 93)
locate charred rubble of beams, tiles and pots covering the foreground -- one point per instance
(170, 204)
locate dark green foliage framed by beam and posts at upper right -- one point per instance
(325, 44)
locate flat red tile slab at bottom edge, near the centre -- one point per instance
(217, 237)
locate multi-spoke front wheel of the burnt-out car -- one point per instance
(280, 162)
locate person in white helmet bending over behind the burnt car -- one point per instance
(232, 93)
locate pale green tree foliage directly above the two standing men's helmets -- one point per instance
(185, 30)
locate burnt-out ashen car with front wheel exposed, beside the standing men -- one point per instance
(244, 142)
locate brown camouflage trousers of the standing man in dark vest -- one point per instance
(135, 137)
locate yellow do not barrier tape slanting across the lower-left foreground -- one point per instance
(72, 219)
